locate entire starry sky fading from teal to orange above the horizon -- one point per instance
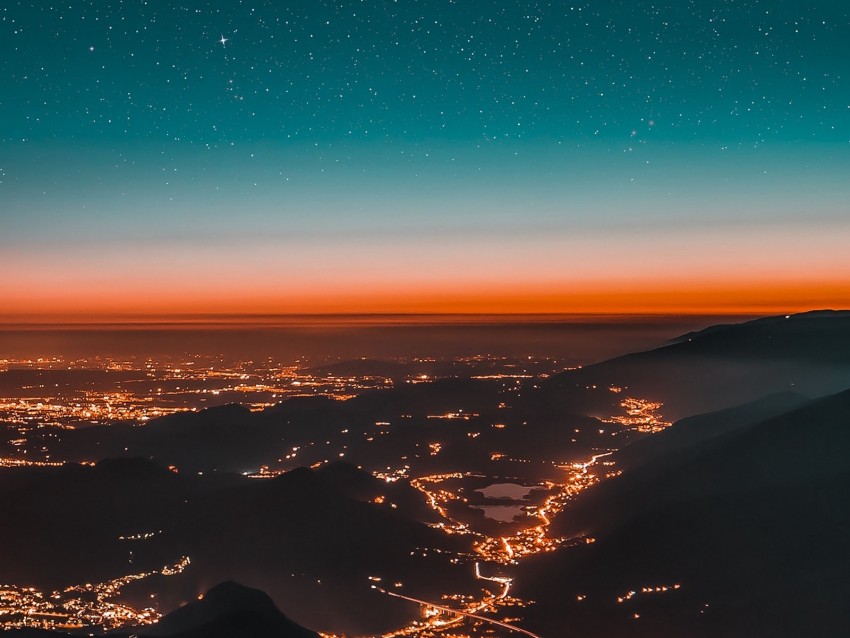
(375, 156)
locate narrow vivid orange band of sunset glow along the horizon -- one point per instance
(597, 298)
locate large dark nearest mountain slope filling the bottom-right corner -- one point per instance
(751, 524)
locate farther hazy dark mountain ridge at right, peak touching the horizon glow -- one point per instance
(721, 366)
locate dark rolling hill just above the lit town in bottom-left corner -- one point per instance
(299, 537)
